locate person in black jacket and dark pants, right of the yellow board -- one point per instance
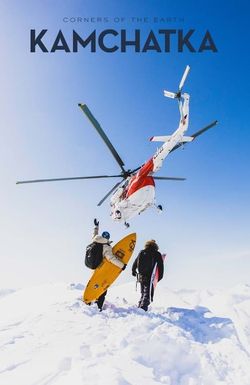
(143, 267)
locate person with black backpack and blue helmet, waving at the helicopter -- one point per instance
(100, 248)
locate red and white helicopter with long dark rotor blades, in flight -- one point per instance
(136, 191)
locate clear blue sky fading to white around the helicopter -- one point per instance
(45, 227)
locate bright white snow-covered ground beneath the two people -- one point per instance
(48, 336)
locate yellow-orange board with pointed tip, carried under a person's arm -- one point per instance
(106, 273)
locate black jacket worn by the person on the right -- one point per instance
(145, 262)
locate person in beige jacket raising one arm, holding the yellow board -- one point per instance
(106, 250)
